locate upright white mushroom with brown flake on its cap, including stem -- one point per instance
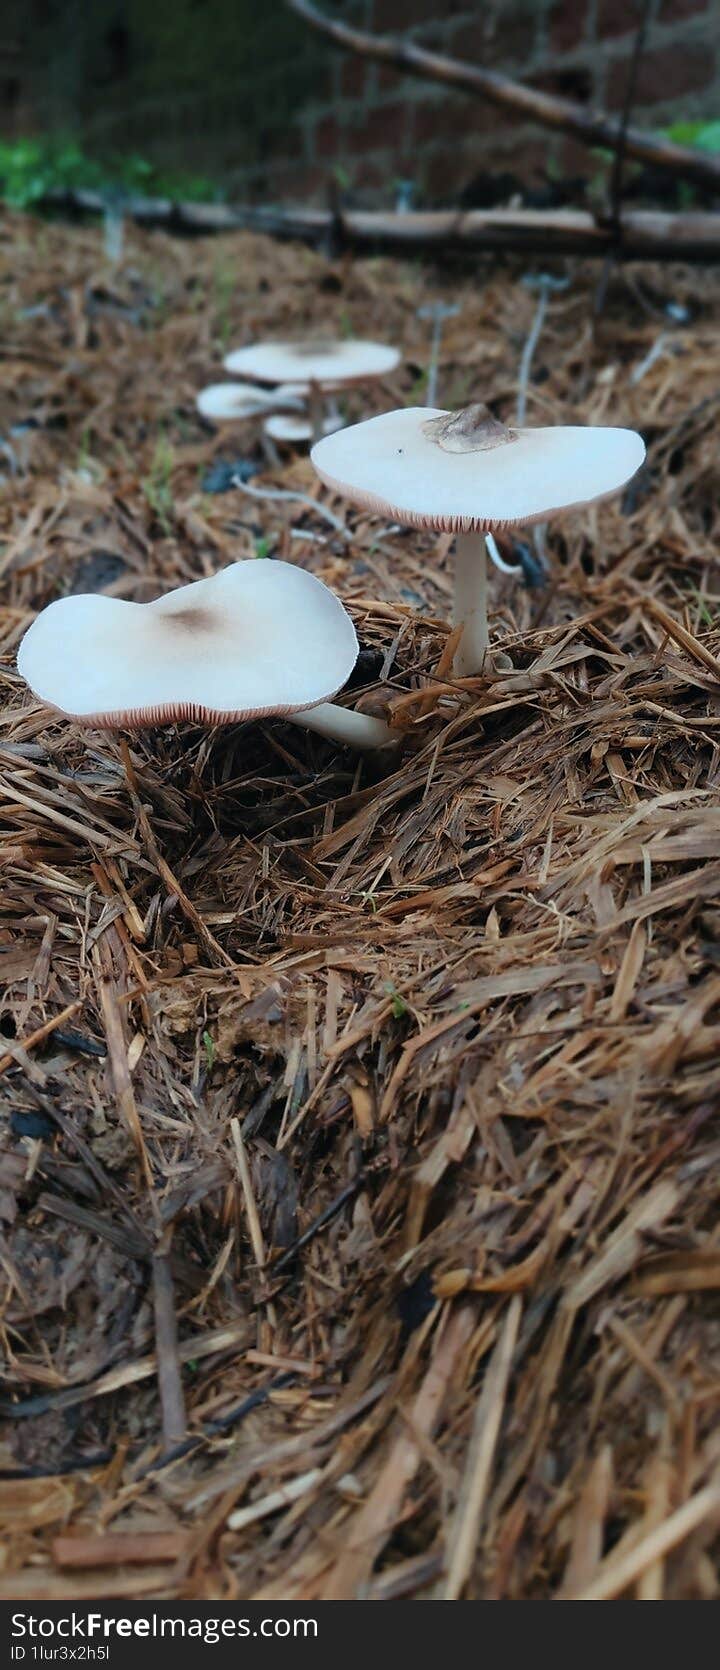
(467, 473)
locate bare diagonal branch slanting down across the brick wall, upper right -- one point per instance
(591, 128)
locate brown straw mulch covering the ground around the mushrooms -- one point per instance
(360, 1120)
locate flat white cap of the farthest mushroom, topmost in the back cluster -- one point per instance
(323, 363)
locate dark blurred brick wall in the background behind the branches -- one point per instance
(246, 93)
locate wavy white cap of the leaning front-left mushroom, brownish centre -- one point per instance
(258, 639)
